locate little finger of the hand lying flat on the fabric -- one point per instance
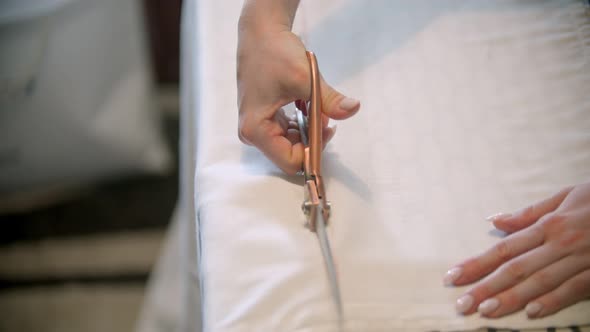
(570, 292)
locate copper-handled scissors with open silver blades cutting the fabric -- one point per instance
(316, 206)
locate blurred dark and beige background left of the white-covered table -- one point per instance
(88, 158)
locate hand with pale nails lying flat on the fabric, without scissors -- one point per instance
(542, 266)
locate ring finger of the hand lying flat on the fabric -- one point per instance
(541, 282)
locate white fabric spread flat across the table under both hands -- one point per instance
(468, 108)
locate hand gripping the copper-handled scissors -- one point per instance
(273, 71)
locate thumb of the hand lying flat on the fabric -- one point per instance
(511, 223)
